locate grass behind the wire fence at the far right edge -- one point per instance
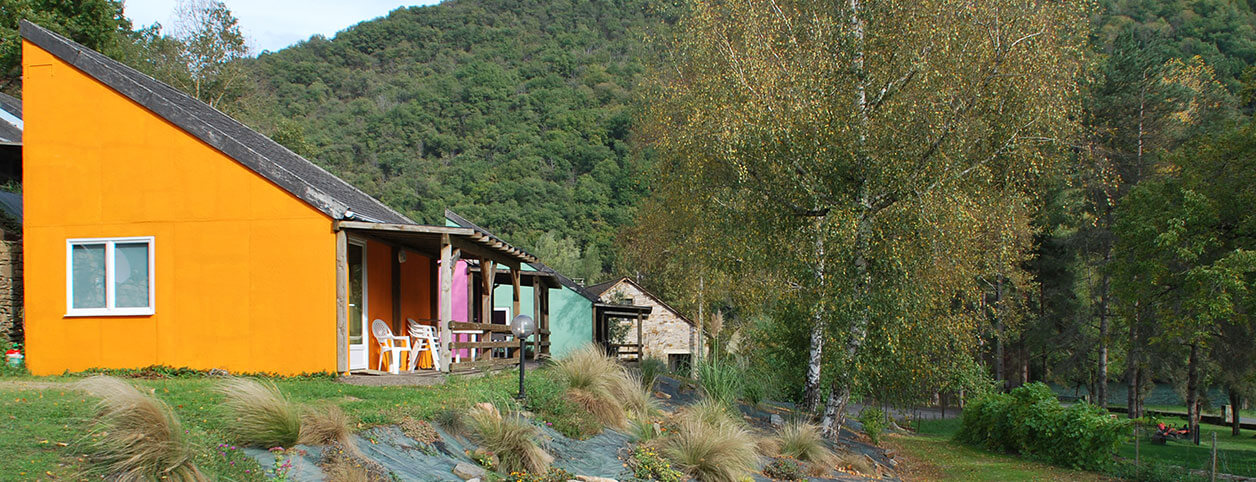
(1235, 455)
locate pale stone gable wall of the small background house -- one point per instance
(664, 331)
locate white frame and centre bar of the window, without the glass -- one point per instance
(110, 287)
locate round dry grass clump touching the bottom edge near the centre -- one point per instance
(710, 445)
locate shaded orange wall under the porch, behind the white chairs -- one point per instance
(416, 297)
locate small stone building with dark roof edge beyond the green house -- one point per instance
(666, 333)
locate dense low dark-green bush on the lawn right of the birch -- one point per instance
(1032, 422)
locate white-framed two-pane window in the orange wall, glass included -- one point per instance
(110, 277)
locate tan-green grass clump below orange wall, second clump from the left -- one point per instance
(262, 416)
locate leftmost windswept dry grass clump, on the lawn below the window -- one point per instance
(135, 436)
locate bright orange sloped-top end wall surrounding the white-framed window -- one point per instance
(246, 273)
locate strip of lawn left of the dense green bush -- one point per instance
(933, 455)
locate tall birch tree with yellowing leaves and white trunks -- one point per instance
(855, 125)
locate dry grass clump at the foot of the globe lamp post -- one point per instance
(512, 439)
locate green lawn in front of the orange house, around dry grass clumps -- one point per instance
(45, 419)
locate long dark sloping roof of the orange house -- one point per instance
(277, 164)
